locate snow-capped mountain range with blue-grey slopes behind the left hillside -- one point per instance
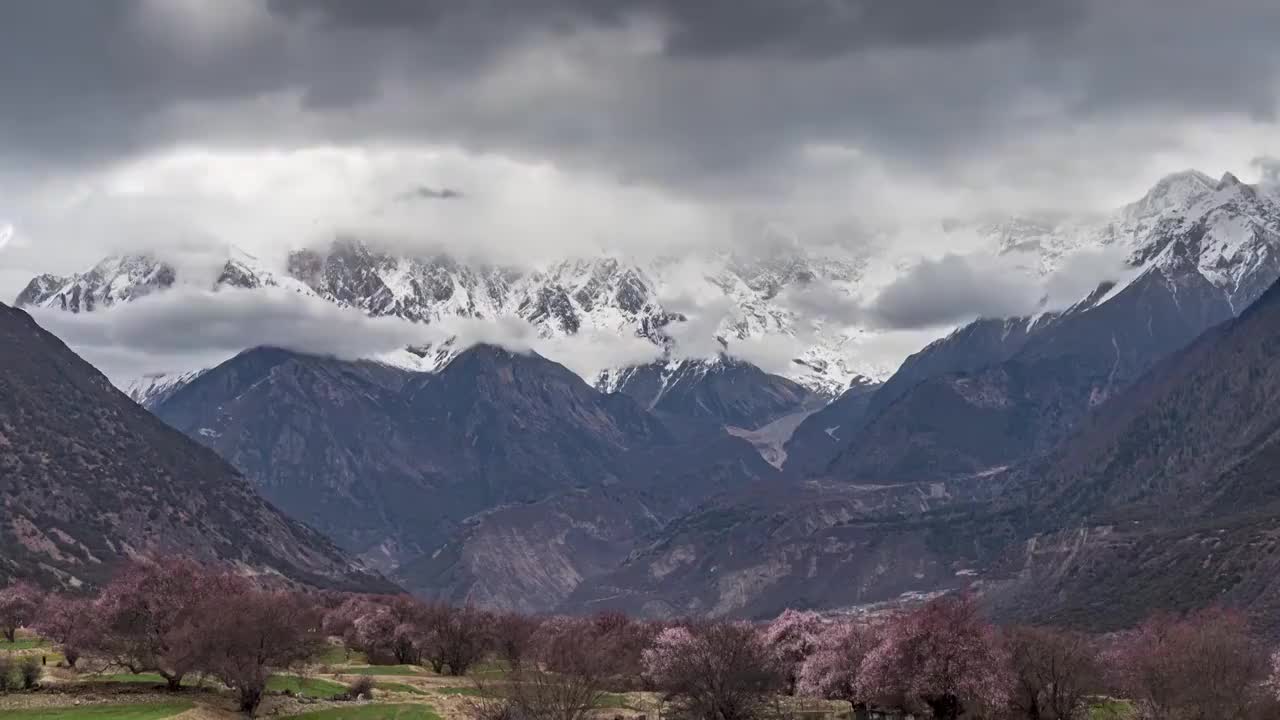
(1040, 459)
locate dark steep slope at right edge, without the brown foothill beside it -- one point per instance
(1169, 498)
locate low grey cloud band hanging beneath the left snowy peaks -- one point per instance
(185, 330)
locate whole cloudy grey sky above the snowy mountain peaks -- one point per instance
(525, 130)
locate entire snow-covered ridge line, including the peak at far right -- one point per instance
(717, 303)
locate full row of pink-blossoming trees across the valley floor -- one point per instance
(943, 660)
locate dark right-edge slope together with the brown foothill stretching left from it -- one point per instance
(1164, 498)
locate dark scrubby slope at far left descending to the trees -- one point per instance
(89, 480)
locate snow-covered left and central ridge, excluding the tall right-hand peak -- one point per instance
(740, 299)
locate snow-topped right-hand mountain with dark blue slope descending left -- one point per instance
(1002, 390)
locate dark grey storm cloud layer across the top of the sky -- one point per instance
(733, 94)
